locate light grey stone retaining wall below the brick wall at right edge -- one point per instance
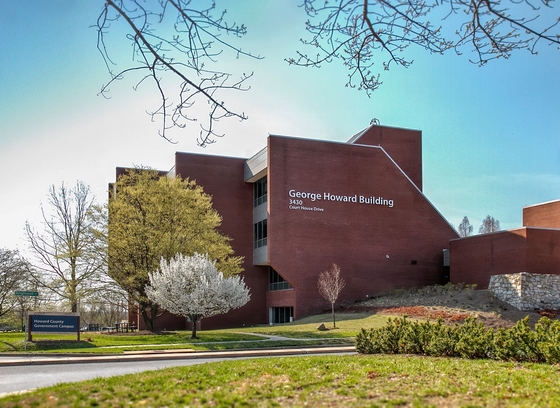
(527, 291)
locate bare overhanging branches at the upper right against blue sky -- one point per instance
(363, 32)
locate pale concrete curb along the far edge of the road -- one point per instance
(170, 355)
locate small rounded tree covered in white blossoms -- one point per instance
(191, 286)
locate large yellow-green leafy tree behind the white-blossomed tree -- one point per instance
(153, 217)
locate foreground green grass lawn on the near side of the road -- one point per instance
(339, 381)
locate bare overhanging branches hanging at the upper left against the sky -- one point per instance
(178, 59)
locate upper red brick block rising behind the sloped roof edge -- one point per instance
(403, 145)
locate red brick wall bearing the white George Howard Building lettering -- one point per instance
(357, 237)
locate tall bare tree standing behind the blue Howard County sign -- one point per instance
(67, 261)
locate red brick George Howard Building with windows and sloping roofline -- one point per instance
(300, 205)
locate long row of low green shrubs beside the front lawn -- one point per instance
(468, 340)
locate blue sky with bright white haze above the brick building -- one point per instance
(490, 134)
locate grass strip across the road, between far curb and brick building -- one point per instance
(348, 326)
